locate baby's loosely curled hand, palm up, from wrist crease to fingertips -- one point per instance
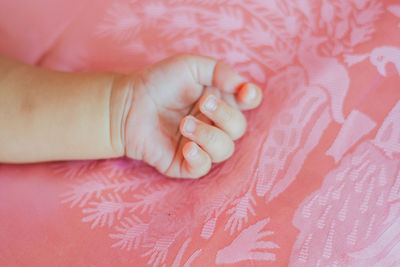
(185, 114)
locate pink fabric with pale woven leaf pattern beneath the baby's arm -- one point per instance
(314, 182)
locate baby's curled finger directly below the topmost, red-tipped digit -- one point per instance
(226, 117)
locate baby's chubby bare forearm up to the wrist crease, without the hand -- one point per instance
(47, 115)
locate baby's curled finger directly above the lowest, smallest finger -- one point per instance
(218, 145)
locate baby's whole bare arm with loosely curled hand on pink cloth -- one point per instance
(179, 115)
